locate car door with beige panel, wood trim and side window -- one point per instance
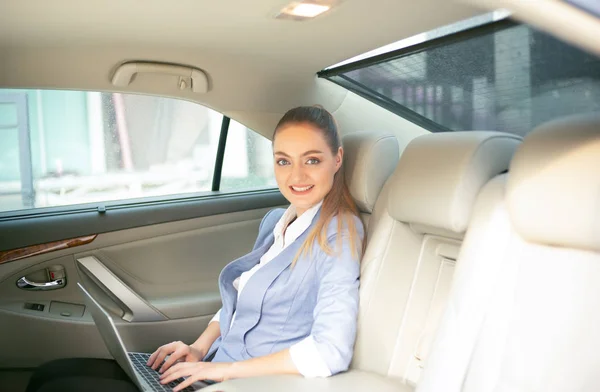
(142, 200)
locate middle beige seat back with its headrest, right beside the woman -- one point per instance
(413, 240)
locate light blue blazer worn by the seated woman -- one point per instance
(281, 305)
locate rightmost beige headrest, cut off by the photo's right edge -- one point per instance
(553, 190)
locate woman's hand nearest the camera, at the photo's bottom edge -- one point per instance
(196, 371)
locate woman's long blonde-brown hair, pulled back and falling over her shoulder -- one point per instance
(338, 202)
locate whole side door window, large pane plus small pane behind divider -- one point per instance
(61, 148)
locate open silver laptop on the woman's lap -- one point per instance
(134, 364)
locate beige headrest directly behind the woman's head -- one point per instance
(371, 159)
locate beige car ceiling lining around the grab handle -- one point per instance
(258, 66)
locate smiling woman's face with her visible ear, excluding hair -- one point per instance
(304, 165)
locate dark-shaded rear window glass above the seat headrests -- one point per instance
(501, 76)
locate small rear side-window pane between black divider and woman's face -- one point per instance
(248, 160)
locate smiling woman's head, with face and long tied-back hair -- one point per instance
(311, 171)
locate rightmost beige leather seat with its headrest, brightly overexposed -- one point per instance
(523, 314)
